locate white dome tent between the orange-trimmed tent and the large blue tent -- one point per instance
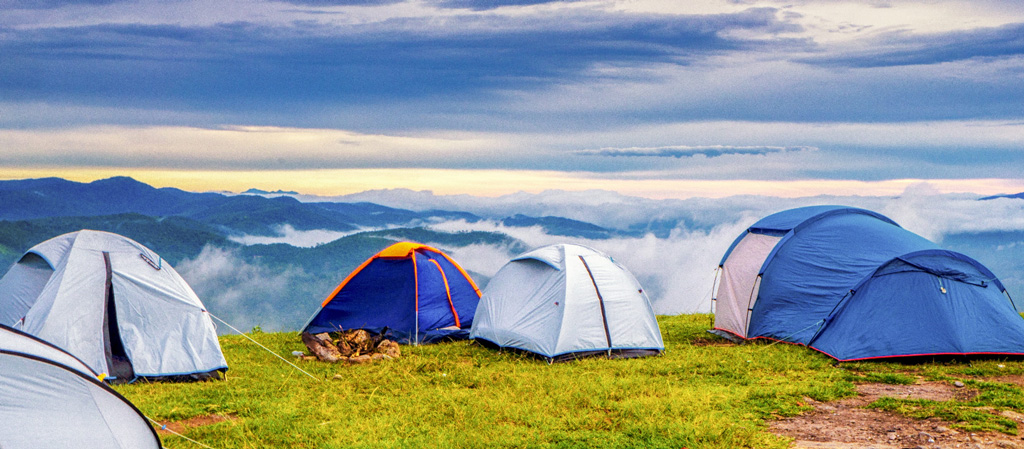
(566, 302)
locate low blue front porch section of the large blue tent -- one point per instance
(929, 303)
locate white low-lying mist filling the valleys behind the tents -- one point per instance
(675, 262)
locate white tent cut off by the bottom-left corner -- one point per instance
(50, 399)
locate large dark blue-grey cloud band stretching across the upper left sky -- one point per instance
(255, 66)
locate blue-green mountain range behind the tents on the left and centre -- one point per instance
(181, 226)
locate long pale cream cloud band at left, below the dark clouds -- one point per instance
(227, 148)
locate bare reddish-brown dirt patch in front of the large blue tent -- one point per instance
(845, 424)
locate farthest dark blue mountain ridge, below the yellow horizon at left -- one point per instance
(235, 215)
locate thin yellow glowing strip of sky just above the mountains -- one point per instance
(497, 183)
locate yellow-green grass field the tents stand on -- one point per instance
(462, 395)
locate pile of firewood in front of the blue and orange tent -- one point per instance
(356, 346)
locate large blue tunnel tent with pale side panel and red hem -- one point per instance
(854, 284)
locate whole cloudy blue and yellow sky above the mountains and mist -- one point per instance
(654, 99)
